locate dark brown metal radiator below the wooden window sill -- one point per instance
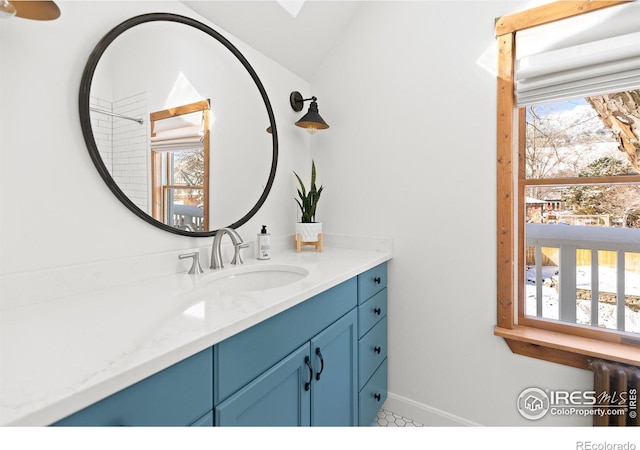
(617, 386)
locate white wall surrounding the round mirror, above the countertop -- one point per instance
(56, 211)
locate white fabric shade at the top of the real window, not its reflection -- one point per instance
(591, 67)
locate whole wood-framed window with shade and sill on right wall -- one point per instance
(568, 204)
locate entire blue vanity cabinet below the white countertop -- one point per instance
(322, 362)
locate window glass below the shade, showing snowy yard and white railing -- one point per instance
(581, 253)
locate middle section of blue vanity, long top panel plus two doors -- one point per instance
(314, 384)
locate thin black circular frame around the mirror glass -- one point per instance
(85, 119)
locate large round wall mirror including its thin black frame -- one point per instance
(178, 124)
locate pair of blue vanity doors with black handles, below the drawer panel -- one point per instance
(315, 385)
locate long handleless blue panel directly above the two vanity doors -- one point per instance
(243, 357)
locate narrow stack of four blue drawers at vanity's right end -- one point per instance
(372, 343)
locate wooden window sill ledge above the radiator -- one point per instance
(561, 348)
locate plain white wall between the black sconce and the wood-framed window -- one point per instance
(411, 154)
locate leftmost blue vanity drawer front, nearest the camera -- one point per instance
(177, 396)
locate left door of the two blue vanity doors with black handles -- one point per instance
(279, 397)
